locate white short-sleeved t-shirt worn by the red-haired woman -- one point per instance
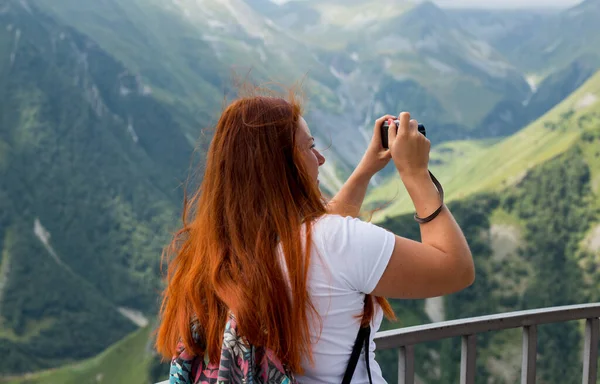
(348, 258)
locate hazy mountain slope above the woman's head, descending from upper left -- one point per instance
(198, 45)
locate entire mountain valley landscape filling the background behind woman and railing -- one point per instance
(106, 110)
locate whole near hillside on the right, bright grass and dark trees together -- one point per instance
(529, 206)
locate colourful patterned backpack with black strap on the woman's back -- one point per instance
(242, 362)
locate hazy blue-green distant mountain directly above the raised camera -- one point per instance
(437, 69)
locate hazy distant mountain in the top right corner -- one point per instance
(520, 36)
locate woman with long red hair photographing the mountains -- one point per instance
(299, 273)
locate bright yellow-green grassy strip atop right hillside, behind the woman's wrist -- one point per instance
(504, 163)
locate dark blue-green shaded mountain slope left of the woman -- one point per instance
(89, 165)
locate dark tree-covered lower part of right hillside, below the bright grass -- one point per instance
(533, 247)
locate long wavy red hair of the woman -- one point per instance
(255, 196)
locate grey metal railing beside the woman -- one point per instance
(406, 338)
